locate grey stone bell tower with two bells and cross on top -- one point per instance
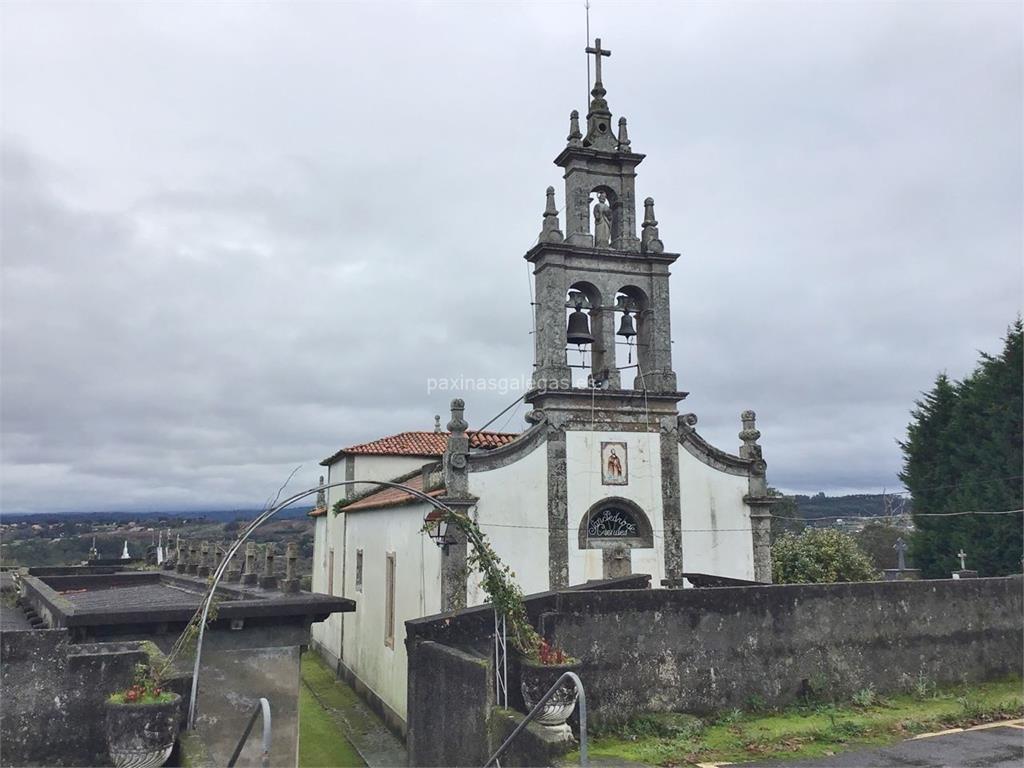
(600, 285)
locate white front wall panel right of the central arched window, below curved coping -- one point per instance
(717, 535)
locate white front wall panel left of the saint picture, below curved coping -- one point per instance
(514, 515)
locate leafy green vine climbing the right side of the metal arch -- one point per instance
(498, 581)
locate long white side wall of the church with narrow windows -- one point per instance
(417, 593)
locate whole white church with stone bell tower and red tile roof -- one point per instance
(609, 479)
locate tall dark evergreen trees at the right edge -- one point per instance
(964, 454)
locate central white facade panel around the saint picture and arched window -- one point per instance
(583, 464)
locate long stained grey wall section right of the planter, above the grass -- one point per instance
(708, 650)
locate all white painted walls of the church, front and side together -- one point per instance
(513, 511)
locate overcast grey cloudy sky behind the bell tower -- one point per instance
(238, 237)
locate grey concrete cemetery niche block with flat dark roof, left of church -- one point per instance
(97, 625)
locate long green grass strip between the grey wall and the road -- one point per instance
(809, 731)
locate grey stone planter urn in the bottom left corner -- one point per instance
(142, 736)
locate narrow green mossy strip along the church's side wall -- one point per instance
(322, 741)
